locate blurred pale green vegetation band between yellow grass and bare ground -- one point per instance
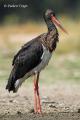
(60, 68)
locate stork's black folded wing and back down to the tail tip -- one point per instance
(25, 60)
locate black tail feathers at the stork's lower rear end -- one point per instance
(11, 82)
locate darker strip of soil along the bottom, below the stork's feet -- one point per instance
(48, 116)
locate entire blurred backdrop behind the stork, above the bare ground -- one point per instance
(19, 25)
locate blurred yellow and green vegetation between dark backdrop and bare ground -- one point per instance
(65, 63)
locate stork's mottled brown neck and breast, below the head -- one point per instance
(51, 38)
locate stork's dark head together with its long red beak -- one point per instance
(49, 15)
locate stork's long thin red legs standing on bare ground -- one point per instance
(37, 105)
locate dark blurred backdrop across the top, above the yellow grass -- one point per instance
(36, 8)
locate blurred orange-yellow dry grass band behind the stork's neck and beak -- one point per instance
(12, 37)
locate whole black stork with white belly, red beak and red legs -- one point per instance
(33, 57)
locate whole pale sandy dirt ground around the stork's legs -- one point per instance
(60, 101)
